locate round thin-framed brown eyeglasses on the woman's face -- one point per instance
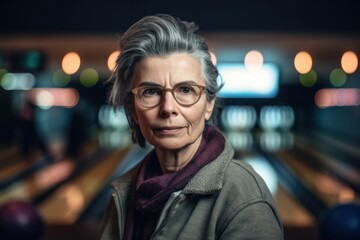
(185, 94)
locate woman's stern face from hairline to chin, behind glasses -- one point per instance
(170, 125)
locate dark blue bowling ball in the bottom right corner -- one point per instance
(341, 222)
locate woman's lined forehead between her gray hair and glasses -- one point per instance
(171, 69)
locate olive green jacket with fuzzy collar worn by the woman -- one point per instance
(226, 199)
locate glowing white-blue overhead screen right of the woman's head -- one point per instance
(240, 82)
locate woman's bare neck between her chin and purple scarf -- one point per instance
(173, 160)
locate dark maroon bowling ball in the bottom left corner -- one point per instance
(19, 220)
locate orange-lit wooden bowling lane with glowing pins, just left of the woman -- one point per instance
(78, 194)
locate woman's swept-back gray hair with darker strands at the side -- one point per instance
(159, 35)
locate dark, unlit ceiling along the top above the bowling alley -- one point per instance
(109, 16)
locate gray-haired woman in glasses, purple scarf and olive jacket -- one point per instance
(189, 186)
